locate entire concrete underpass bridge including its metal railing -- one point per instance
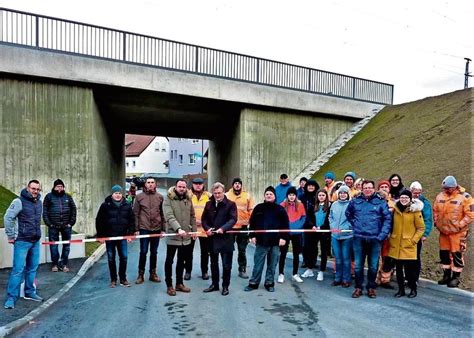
(71, 91)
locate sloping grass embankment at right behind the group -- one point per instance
(425, 140)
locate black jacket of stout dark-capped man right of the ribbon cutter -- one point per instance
(269, 216)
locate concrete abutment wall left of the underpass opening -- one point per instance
(51, 131)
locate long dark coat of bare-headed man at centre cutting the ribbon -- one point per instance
(223, 216)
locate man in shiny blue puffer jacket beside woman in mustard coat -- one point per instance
(371, 222)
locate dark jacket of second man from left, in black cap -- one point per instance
(59, 210)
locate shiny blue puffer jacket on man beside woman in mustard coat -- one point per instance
(370, 218)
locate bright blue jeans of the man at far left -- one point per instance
(26, 256)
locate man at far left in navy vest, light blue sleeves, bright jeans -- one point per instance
(22, 226)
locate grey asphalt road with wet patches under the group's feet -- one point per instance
(309, 309)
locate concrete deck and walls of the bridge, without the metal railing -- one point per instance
(66, 116)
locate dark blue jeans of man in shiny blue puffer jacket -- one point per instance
(369, 248)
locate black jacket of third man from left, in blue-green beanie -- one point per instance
(115, 221)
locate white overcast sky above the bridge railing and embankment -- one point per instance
(417, 45)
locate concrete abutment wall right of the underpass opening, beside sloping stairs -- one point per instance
(269, 143)
